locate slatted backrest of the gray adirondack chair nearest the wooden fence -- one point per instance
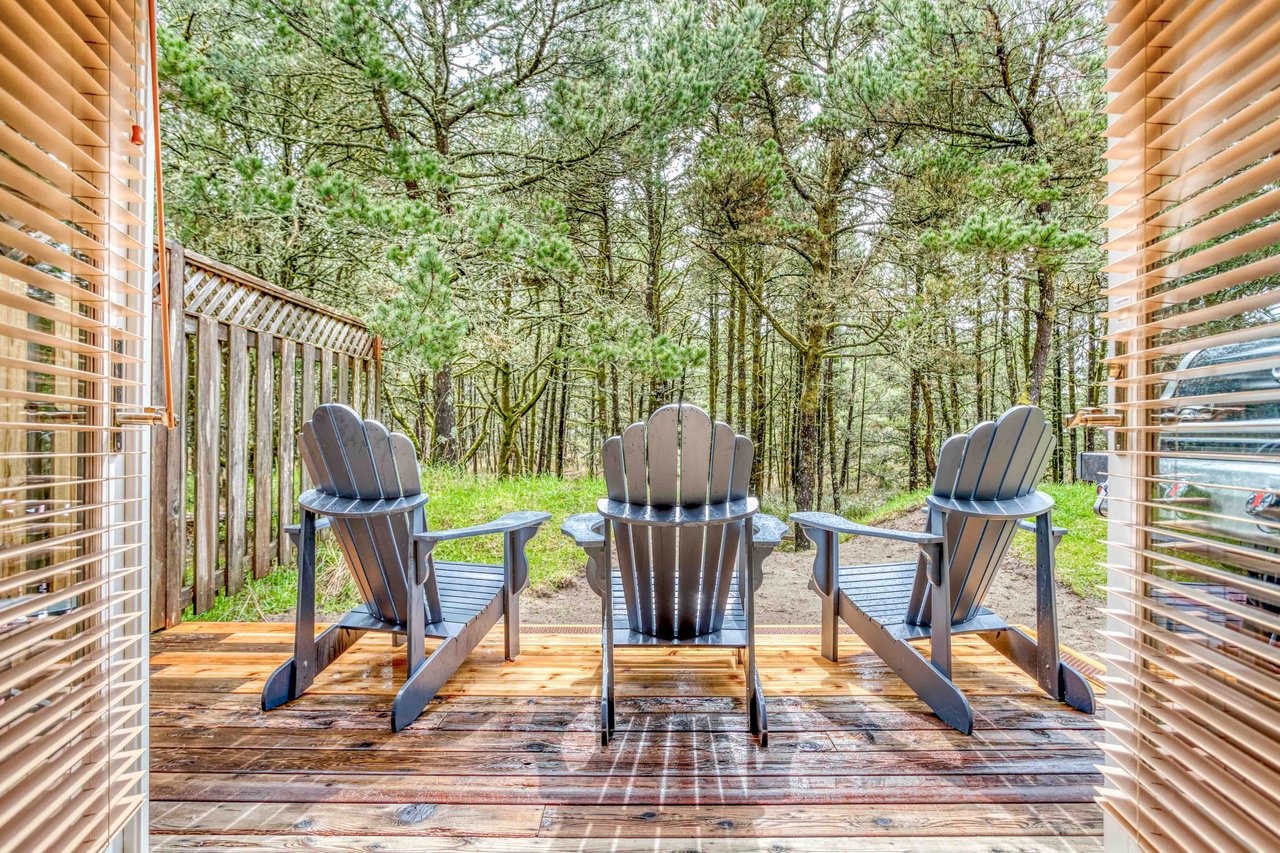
(348, 457)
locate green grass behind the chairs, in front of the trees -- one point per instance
(460, 500)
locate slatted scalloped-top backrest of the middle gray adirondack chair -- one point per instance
(676, 581)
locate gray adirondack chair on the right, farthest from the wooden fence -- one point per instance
(984, 491)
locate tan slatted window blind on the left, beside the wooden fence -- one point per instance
(75, 307)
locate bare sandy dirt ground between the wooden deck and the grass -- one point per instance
(785, 597)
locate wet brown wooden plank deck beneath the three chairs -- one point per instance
(510, 760)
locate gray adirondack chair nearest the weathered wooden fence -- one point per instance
(369, 495)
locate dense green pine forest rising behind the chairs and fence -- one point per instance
(849, 230)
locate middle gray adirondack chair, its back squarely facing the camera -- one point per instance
(687, 535)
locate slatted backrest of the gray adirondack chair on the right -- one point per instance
(998, 460)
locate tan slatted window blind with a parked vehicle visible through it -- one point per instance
(1195, 264)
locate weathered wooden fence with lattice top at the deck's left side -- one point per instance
(250, 362)
